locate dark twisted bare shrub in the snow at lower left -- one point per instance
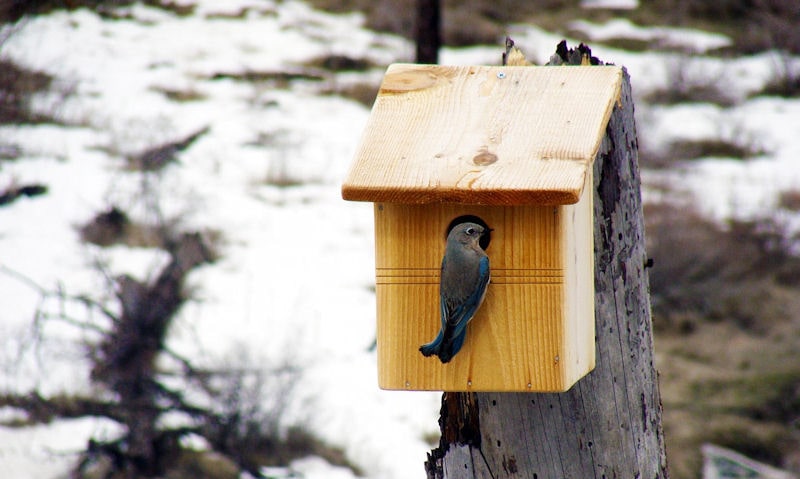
(239, 409)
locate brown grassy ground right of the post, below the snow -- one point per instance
(727, 322)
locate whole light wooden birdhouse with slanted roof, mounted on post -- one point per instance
(511, 147)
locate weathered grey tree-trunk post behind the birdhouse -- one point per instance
(609, 424)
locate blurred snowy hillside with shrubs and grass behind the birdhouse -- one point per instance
(186, 295)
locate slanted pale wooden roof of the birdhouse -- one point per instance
(500, 135)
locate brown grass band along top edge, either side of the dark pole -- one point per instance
(754, 25)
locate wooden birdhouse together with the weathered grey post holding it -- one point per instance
(547, 156)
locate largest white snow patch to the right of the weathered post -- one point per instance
(733, 188)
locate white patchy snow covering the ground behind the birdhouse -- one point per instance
(297, 263)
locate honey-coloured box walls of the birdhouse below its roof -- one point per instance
(535, 329)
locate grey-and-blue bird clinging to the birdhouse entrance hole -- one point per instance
(463, 282)
